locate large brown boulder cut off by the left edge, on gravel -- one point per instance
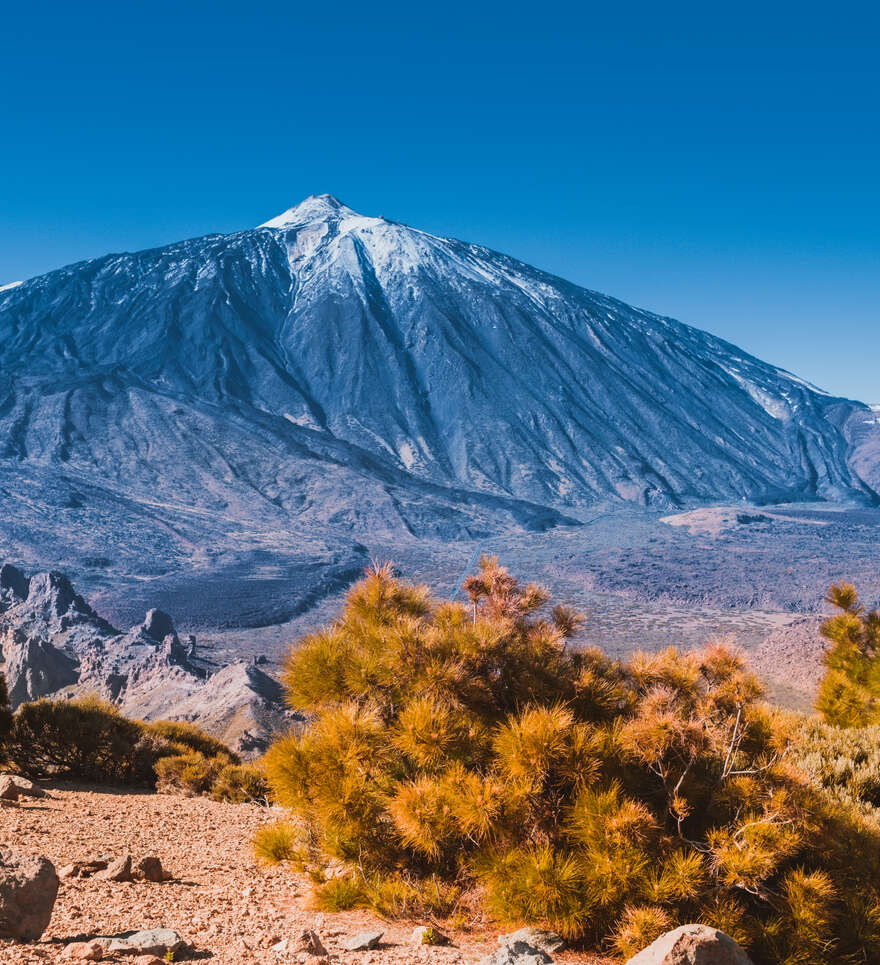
(28, 889)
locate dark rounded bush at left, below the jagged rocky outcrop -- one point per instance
(84, 739)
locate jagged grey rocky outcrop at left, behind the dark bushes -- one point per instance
(55, 644)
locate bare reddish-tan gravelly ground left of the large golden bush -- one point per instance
(229, 909)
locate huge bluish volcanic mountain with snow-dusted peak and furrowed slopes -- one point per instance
(274, 401)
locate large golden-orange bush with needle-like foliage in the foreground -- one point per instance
(474, 746)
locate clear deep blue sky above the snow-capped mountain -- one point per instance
(715, 162)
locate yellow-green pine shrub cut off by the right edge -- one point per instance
(849, 695)
